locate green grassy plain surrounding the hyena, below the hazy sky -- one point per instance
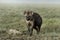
(11, 17)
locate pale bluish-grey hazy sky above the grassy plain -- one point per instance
(30, 1)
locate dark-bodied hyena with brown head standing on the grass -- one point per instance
(33, 20)
